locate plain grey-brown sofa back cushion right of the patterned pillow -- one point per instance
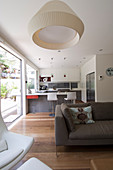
(102, 111)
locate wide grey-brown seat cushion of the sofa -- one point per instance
(98, 130)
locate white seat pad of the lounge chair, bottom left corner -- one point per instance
(8, 156)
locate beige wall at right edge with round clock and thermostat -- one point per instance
(104, 86)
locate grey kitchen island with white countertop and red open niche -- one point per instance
(38, 101)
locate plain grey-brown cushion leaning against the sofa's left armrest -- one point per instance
(68, 117)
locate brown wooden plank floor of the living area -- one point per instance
(41, 127)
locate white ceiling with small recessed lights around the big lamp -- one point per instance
(97, 16)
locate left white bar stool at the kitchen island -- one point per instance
(52, 97)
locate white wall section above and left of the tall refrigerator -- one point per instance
(87, 68)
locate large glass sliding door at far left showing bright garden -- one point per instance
(11, 86)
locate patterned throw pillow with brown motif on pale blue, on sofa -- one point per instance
(82, 115)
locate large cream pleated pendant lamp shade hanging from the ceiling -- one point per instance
(55, 26)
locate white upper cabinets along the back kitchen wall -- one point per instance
(72, 74)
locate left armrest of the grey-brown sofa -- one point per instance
(61, 131)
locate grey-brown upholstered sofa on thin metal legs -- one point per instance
(98, 133)
